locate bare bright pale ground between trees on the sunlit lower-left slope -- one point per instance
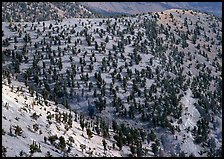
(13, 111)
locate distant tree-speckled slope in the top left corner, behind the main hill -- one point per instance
(42, 11)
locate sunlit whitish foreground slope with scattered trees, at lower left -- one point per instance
(28, 128)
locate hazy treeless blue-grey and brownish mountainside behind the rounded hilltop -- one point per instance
(144, 7)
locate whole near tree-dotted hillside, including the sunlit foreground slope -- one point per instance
(149, 84)
